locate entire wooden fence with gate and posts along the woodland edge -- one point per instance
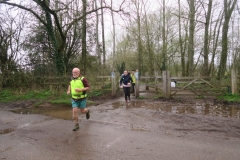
(164, 83)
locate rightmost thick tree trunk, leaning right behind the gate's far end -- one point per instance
(228, 9)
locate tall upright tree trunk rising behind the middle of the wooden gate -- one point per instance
(206, 40)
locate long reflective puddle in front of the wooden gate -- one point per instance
(221, 111)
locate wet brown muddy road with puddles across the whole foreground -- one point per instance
(143, 129)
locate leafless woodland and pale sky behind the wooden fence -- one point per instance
(43, 38)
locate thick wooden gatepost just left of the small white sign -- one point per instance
(166, 83)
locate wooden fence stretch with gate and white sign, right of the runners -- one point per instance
(170, 86)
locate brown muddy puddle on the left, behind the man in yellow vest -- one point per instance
(62, 113)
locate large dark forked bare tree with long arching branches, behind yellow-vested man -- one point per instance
(62, 30)
